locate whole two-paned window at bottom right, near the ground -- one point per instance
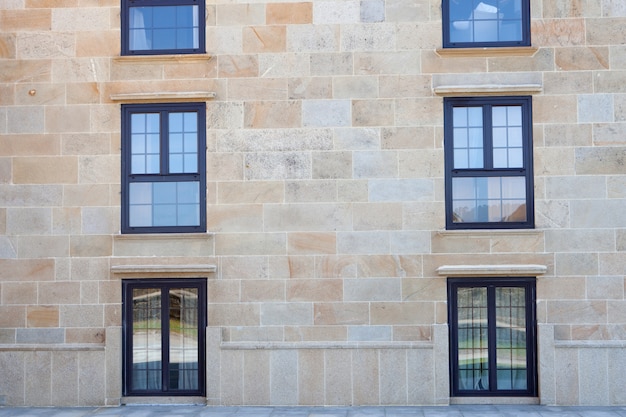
(492, 336)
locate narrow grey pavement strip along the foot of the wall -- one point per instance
(382, 411)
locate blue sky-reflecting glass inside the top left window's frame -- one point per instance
(163, 27)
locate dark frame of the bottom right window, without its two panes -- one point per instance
(529, 283)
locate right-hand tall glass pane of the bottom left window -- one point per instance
(184, 358)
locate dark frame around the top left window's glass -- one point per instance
(126, 5)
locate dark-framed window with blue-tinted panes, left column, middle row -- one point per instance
(163, 168)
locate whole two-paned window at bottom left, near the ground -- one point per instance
(164, 331)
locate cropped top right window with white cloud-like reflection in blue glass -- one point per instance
(480, 23)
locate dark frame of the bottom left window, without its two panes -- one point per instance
(127, 320)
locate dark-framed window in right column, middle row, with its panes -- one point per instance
(488, 159)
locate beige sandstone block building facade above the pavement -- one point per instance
(323, 260)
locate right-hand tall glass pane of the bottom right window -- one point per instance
(511, 338)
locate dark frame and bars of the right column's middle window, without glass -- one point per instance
(487, 103)
